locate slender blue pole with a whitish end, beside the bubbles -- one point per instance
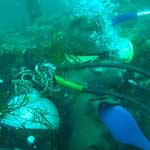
(129, 16)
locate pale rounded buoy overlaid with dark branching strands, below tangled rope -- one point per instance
(35, 113)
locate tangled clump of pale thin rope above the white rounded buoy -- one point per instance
(43, 75)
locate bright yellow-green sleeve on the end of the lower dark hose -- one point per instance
(68, 84)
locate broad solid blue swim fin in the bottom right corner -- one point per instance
(123, 126)
